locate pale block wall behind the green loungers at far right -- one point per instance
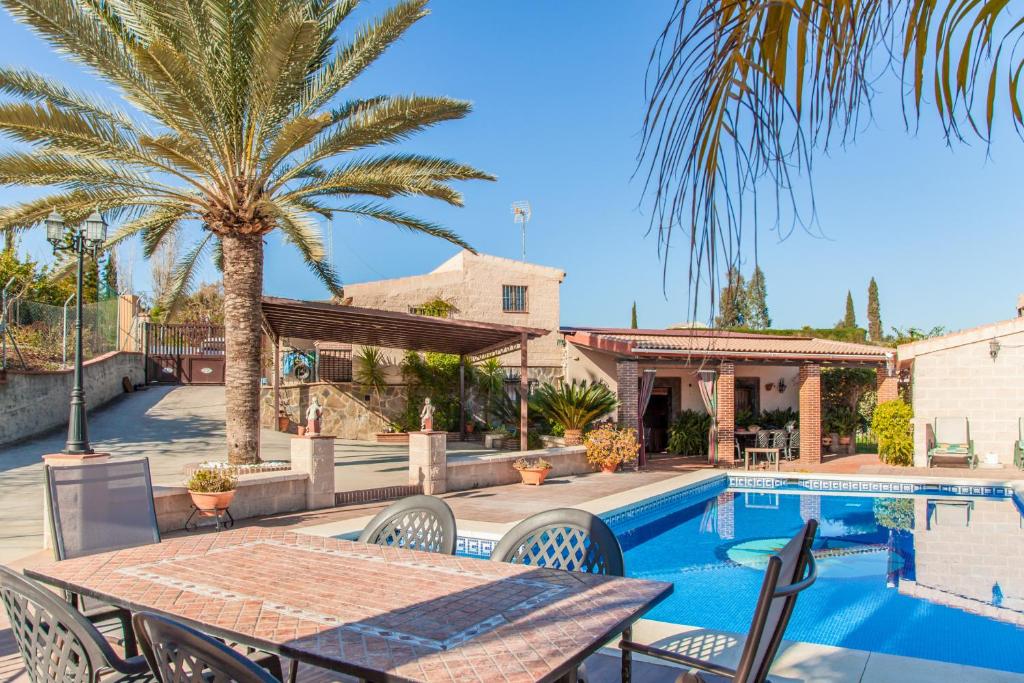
(956, 376)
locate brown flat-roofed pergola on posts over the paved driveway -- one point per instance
(351, 325)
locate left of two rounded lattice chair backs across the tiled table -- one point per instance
(417, 523)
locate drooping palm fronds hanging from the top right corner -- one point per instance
(743, 93)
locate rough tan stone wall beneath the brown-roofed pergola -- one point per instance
(348, 413)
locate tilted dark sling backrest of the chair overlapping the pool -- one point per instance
(789, 573)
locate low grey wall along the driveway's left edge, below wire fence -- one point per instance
(34, 403)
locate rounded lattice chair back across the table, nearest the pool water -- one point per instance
(563, 539)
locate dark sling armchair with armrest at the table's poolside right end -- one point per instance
(789, 573)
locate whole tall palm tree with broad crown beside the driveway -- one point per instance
(236, 124)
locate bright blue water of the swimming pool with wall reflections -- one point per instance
(912, 576)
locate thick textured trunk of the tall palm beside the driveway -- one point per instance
(243, 291)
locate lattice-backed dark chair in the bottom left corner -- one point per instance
(57, 643)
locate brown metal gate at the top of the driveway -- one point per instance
(185, 354)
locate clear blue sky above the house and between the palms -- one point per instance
(559, 96)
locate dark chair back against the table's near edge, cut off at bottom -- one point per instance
(178, 654)
